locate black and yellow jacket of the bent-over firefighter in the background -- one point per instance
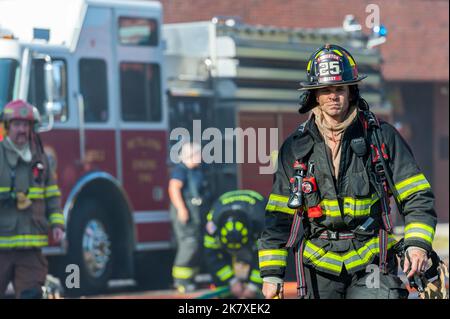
(220, 261)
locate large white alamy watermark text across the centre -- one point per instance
(235, 145)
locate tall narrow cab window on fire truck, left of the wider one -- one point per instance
(93, 87)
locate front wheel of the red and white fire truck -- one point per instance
(90, 246)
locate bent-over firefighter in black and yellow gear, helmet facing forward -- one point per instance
(233, 225)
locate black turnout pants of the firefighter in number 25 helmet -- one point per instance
(364, 284)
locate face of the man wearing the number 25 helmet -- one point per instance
(333, 101)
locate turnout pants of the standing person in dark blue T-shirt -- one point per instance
(188, 237)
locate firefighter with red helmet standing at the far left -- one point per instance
(29, 203)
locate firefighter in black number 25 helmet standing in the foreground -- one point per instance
(330, 197)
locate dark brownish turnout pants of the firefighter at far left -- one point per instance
(26, 269)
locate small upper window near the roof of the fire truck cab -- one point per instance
(138, 31)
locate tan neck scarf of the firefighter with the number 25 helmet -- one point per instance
(332, 134)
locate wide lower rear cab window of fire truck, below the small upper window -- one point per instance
(140, 87)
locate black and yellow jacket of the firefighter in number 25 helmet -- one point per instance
(346, 202)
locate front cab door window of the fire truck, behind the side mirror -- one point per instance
(36, 90)
